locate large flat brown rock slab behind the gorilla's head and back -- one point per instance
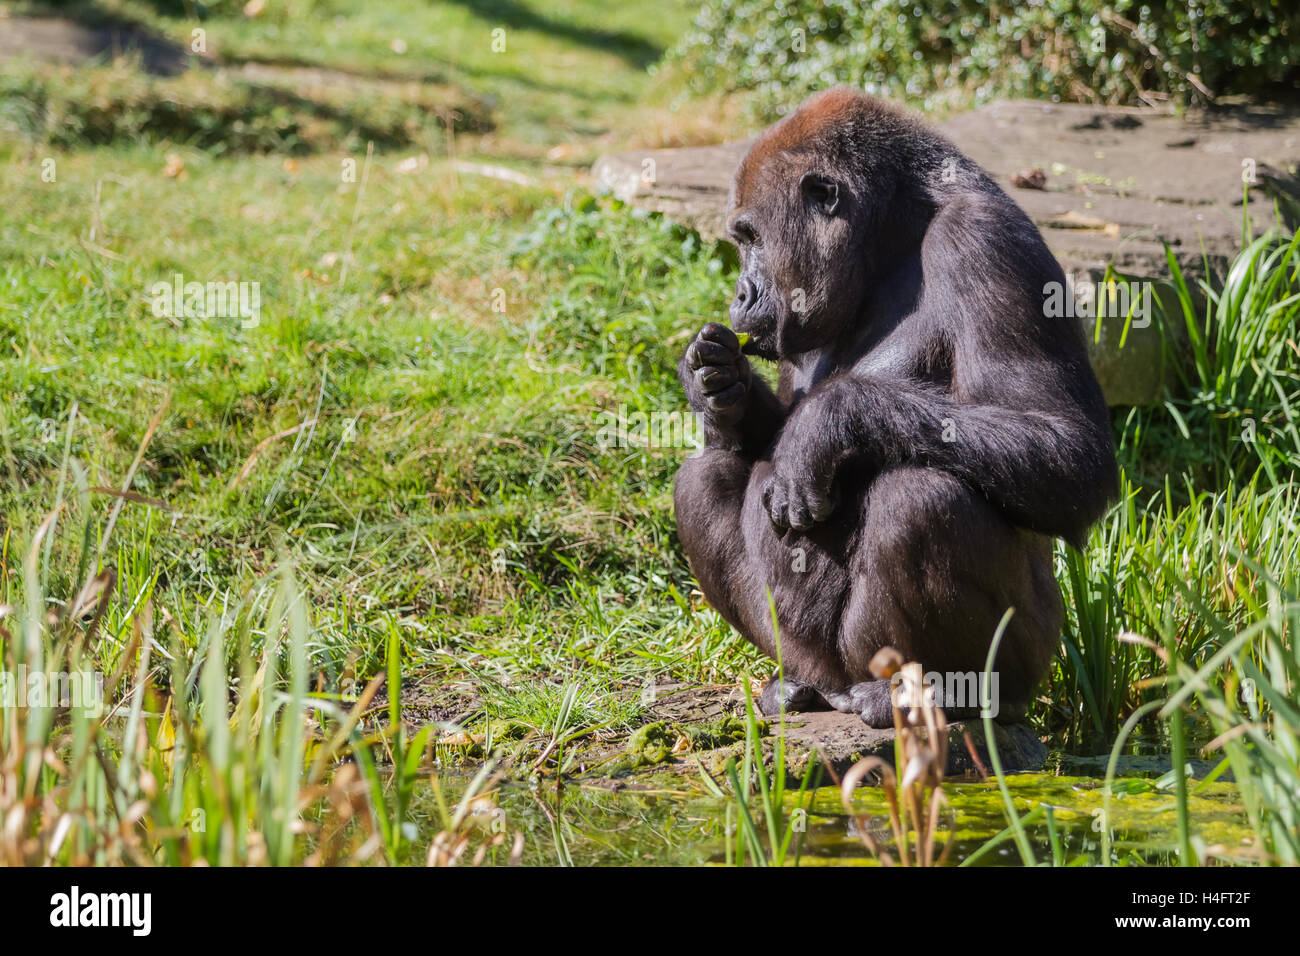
(1120, 184)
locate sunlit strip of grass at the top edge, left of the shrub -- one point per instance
(571, 71)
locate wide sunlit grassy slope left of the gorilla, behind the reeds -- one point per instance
(449, 477)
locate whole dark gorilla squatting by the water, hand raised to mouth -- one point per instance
(933, 429)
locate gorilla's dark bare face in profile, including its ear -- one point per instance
(803, 262)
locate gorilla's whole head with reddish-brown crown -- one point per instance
(825, 202)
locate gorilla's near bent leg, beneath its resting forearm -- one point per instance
(934, 570)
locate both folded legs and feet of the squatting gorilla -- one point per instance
(920, 563)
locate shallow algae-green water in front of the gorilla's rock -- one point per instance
(591, 825)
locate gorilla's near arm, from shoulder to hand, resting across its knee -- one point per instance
(1024, 423)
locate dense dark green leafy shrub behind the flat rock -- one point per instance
(961, 51)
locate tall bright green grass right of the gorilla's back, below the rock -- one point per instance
(1210, 498)
